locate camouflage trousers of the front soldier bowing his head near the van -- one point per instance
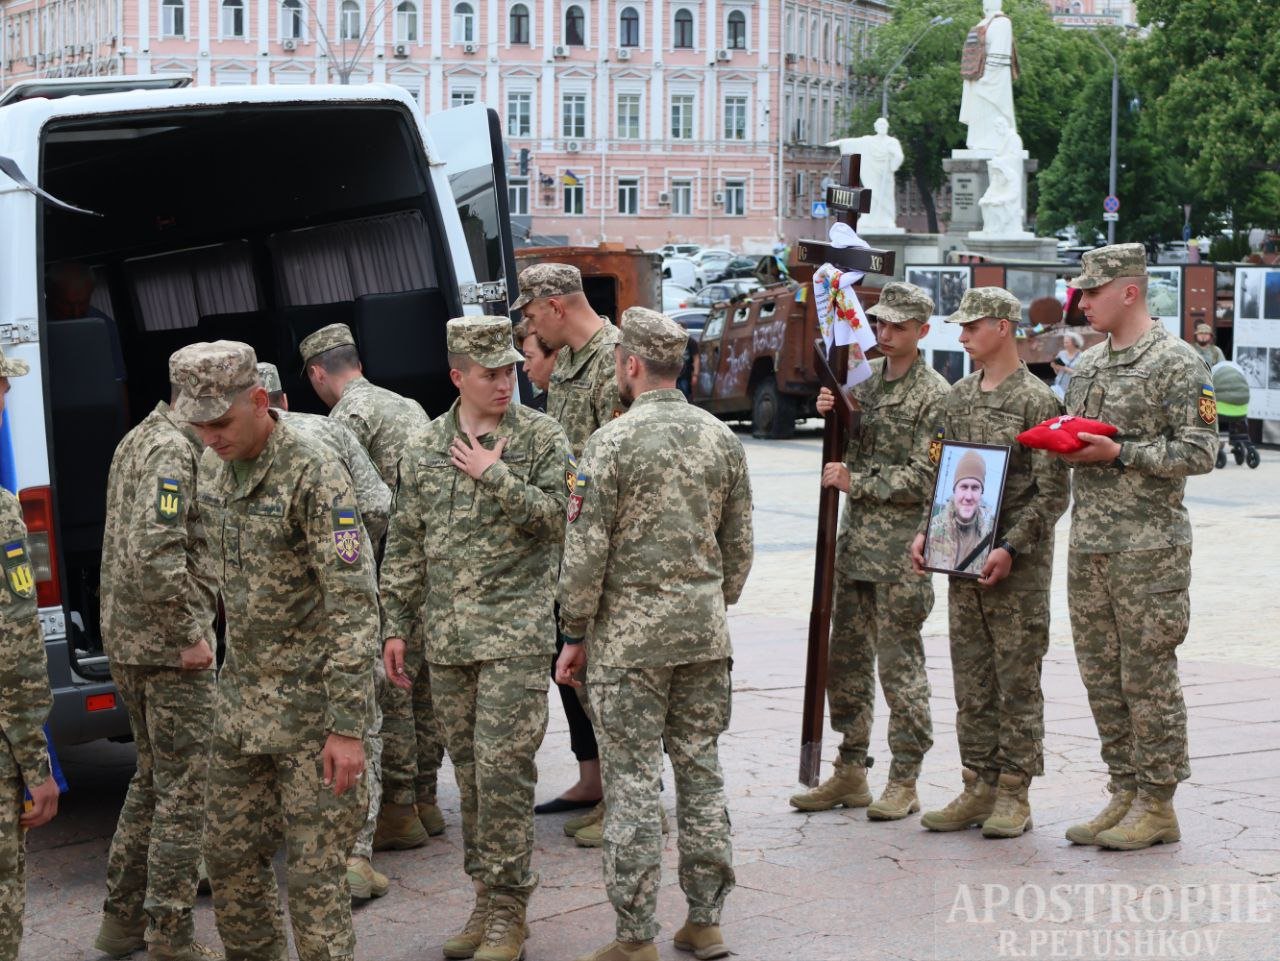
(252, 797)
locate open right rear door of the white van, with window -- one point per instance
(477, 168)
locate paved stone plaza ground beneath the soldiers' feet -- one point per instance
(833, 885)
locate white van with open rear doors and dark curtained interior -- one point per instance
(255, 214)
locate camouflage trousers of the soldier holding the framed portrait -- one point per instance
(999, 639)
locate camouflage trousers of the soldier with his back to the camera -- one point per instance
(637, 711)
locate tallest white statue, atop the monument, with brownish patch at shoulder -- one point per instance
(990, 67)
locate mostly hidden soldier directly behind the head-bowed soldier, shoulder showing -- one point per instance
(374, 502)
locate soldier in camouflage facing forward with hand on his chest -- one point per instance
(473, 547)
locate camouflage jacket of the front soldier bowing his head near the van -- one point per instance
(299, 589)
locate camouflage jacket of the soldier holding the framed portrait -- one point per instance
(1037, 486)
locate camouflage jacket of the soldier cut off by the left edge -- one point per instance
(25, 699)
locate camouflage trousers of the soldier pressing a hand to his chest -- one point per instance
(493, 716)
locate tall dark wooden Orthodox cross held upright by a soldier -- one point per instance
(849, 199)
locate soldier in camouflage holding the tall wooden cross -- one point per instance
(880, 605)
